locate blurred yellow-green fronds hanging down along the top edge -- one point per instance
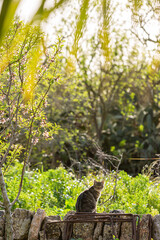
(105, 10)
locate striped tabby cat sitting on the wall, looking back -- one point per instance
(87, 200)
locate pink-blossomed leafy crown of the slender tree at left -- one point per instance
(22, 116)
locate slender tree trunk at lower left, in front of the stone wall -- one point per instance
(7, 206)
